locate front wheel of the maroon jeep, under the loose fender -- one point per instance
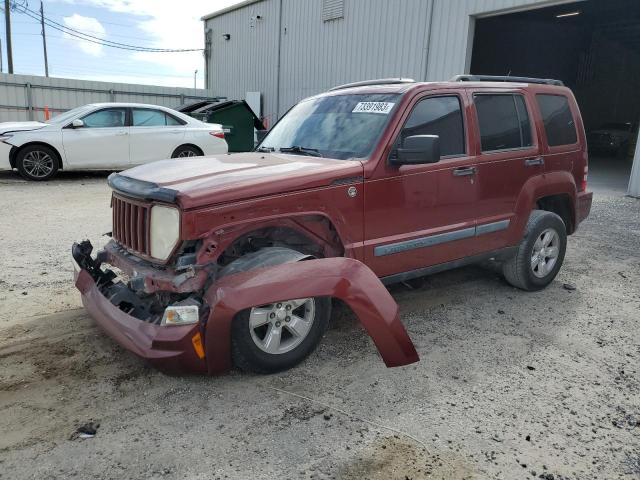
(276, 337)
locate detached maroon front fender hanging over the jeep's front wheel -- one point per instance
(343, 278)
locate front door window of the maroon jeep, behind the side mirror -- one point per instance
(440, 116)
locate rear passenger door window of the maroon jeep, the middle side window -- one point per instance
(504, 122)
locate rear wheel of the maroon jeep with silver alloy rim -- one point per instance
(540, 253)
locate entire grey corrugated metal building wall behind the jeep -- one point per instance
(374, 39)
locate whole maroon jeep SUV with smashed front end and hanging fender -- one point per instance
(234, 259)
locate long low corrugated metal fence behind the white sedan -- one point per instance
(23, 97)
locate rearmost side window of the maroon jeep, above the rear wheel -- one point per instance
(557, 119)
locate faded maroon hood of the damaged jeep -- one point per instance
(198, 181)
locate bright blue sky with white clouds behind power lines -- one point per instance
(148, 23)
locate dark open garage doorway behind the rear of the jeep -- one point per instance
(594, 48)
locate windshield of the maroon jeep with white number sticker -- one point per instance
(337, 126)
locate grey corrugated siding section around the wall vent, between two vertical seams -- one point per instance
(375, 39)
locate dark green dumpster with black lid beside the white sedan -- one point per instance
(237, 120)
